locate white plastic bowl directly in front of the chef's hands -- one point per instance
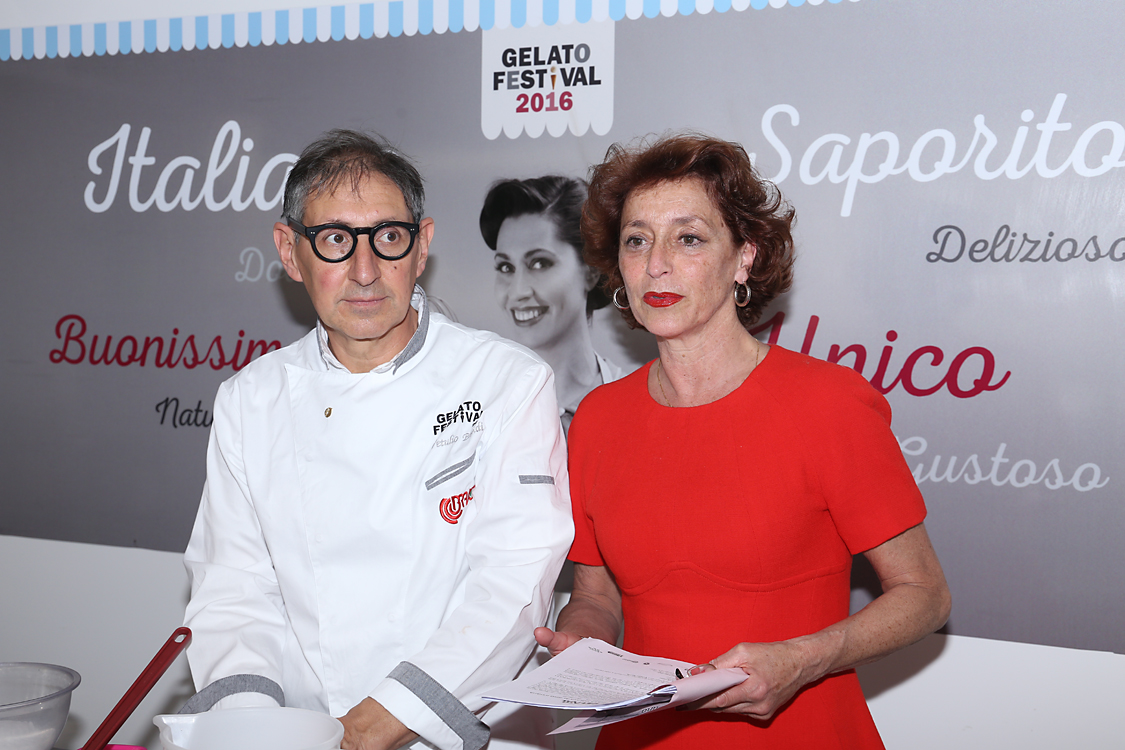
(250, 729)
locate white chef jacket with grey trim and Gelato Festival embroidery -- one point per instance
(419, 513)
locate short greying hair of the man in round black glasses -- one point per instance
(340, 156)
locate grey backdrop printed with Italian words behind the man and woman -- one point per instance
(956, 169)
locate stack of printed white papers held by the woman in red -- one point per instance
(609, 685)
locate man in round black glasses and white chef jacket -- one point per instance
(386, 508)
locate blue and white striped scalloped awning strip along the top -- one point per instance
(361, 21)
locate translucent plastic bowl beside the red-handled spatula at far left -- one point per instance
(34, 704)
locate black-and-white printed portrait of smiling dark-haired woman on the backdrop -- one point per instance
(543, 284)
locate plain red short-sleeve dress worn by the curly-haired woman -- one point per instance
(737, 521)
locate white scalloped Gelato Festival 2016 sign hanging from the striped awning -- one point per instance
(551, 78)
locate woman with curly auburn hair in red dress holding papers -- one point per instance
(721, 492)
